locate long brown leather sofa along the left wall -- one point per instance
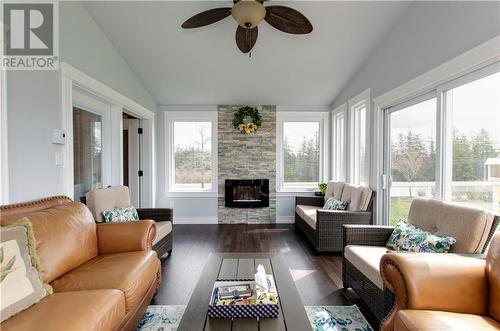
(103, 275)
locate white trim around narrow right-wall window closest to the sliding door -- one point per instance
(362, 99)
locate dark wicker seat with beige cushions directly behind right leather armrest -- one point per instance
(364, 246)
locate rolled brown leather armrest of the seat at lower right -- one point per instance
(429, 281)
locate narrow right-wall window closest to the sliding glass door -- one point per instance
(358, 139)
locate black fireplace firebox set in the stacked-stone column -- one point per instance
(247, 193)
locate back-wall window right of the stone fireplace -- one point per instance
(301, 152)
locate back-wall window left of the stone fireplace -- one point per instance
(191, 152)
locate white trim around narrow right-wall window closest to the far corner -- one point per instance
(339, 163)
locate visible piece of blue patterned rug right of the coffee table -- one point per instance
(337, 318)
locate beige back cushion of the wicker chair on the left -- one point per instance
(107, 199)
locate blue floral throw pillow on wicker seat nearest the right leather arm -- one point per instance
(407, 237)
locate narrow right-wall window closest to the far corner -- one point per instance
(339, 142)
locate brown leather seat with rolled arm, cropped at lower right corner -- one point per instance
(443, 292)
